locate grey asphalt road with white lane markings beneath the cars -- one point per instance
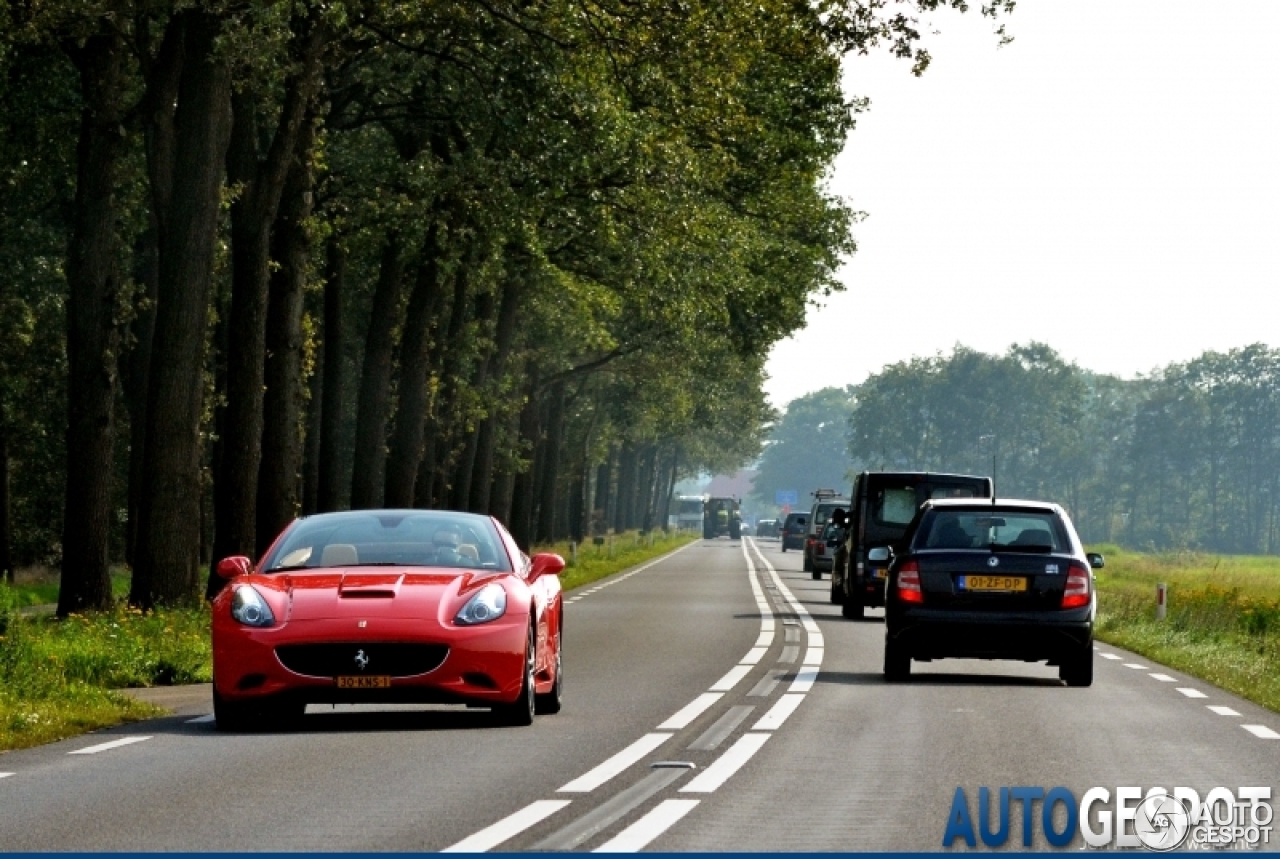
(728, 668)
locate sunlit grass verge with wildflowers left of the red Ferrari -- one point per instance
(58, 677)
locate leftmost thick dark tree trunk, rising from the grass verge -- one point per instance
(93, 335)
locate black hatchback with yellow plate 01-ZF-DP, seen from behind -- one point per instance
(991, 581)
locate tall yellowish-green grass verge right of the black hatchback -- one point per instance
(1223, 620)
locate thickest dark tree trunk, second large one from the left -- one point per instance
(186, 150)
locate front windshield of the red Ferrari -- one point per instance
(391, 540)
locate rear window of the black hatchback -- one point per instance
(1005, 531)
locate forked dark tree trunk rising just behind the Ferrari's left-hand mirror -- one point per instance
(253, 216)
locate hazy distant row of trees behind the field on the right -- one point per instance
(1187, 458)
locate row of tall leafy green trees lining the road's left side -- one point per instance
(273, 257)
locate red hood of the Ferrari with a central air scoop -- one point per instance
(406, 593)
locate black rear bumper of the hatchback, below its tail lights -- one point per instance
(1032, 637)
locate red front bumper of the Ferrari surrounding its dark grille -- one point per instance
(484, 665)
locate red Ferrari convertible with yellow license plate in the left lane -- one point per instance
(388, 606)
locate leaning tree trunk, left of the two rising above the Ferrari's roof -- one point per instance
(376, 382)
